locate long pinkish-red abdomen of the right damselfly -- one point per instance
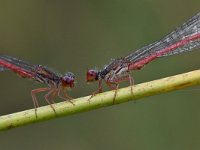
(139, 64)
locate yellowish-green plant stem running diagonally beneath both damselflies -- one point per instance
(101, 100)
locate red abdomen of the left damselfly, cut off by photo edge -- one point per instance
(23, 73)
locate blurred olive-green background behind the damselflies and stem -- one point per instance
(79, 34)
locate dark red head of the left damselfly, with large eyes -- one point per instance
(68, 80)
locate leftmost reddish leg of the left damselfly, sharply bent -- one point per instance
(33, 93)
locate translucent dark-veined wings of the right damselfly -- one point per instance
(189, 28)
